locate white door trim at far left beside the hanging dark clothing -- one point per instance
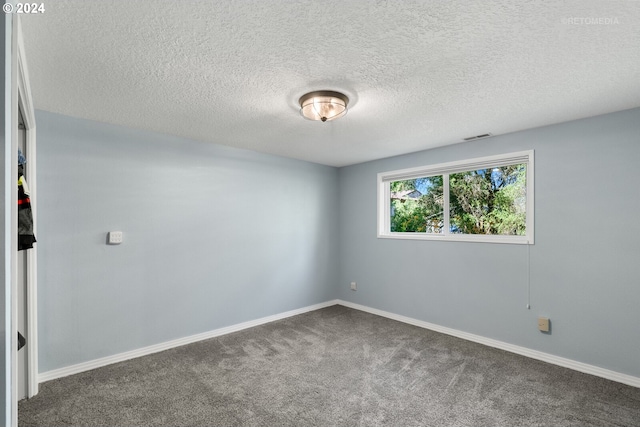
(25, 103)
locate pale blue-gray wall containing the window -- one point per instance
(583, 271)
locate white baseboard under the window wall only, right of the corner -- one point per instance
(523, 351)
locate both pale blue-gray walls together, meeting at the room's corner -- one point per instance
(215, 236)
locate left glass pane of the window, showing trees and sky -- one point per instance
(417, 205)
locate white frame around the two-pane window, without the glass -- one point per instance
(444, 169)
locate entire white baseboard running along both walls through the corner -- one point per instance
(523, 351)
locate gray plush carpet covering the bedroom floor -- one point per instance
(332, 367)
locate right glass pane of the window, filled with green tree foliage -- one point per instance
(489, 201)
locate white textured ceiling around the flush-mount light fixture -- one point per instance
(419, 74)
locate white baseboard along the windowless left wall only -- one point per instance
(97, 363)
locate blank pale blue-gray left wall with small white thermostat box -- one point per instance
(213, 236)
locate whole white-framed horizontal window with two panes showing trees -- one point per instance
(488, 199)
